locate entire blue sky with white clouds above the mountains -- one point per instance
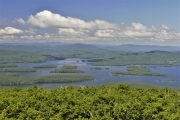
(143, 22)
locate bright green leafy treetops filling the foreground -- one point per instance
(93, 103)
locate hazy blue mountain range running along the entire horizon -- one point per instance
(79, 46)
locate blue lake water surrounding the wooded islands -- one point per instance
(102, 76)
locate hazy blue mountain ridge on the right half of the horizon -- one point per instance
(142, 48)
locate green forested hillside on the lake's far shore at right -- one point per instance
(146, 58)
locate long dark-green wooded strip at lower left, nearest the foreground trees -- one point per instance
(14, 79)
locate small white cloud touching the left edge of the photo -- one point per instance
(10, 31)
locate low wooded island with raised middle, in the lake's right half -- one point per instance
(138, 71)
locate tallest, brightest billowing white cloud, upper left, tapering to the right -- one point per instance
(47, 19)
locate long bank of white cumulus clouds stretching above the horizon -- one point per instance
(73, 29)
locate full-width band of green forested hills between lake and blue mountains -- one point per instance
(98, 57)
